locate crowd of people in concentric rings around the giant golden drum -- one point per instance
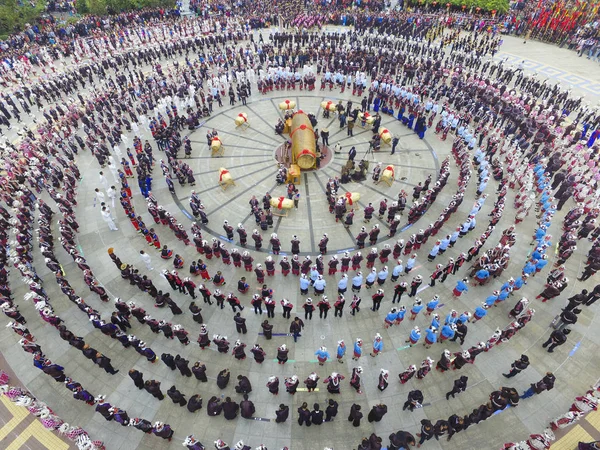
(504, 124)
